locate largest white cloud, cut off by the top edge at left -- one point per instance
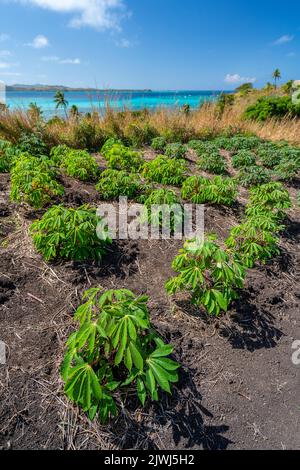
(99, 14)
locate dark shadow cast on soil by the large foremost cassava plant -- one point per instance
(179, 419)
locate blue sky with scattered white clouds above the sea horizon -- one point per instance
(157, 44)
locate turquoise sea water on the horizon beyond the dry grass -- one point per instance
(134, 100)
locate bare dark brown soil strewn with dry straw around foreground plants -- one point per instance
(238, 388)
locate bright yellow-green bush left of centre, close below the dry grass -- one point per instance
(119, 157)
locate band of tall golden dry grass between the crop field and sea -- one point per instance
(90, 131)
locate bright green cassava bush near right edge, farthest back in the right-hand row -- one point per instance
(268, 198)
